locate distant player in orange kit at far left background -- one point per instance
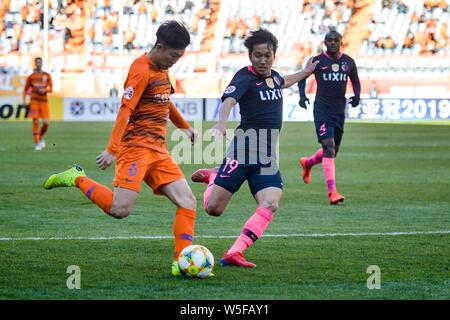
(38, 85)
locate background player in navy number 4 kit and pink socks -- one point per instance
(329, 108)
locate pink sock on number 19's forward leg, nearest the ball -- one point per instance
(253, 229)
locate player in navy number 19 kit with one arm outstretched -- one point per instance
(251, 155)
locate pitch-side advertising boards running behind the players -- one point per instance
(105, 109)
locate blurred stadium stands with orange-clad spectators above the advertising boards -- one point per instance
(387, 38)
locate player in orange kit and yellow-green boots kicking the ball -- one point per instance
(138, 142)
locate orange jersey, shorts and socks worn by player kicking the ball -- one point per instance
(138, 141)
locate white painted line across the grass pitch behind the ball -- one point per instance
(293, 235)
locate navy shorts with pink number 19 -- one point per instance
(232, 175)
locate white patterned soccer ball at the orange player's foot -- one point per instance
(196, 261)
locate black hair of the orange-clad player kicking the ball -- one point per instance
(173, 34)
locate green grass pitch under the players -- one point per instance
(395, 177)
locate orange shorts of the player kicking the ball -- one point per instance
(137, 164)
